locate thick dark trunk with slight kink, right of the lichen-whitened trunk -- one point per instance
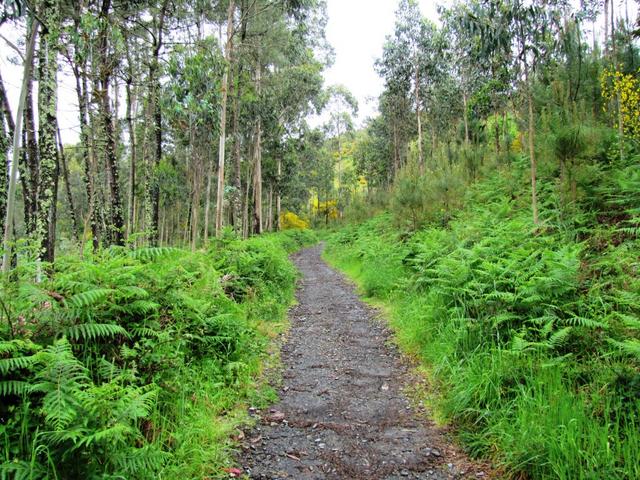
(116, 220)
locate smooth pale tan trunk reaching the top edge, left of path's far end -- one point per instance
(223, 118)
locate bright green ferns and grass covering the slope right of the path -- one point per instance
(531, 335)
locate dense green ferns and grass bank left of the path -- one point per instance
(134, 363)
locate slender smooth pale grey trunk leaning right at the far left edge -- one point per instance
(17, 135)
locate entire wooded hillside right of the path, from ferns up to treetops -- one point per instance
(500, 228)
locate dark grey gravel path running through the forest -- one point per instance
(342, 413)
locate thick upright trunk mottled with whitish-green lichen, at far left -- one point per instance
(44, 233)
